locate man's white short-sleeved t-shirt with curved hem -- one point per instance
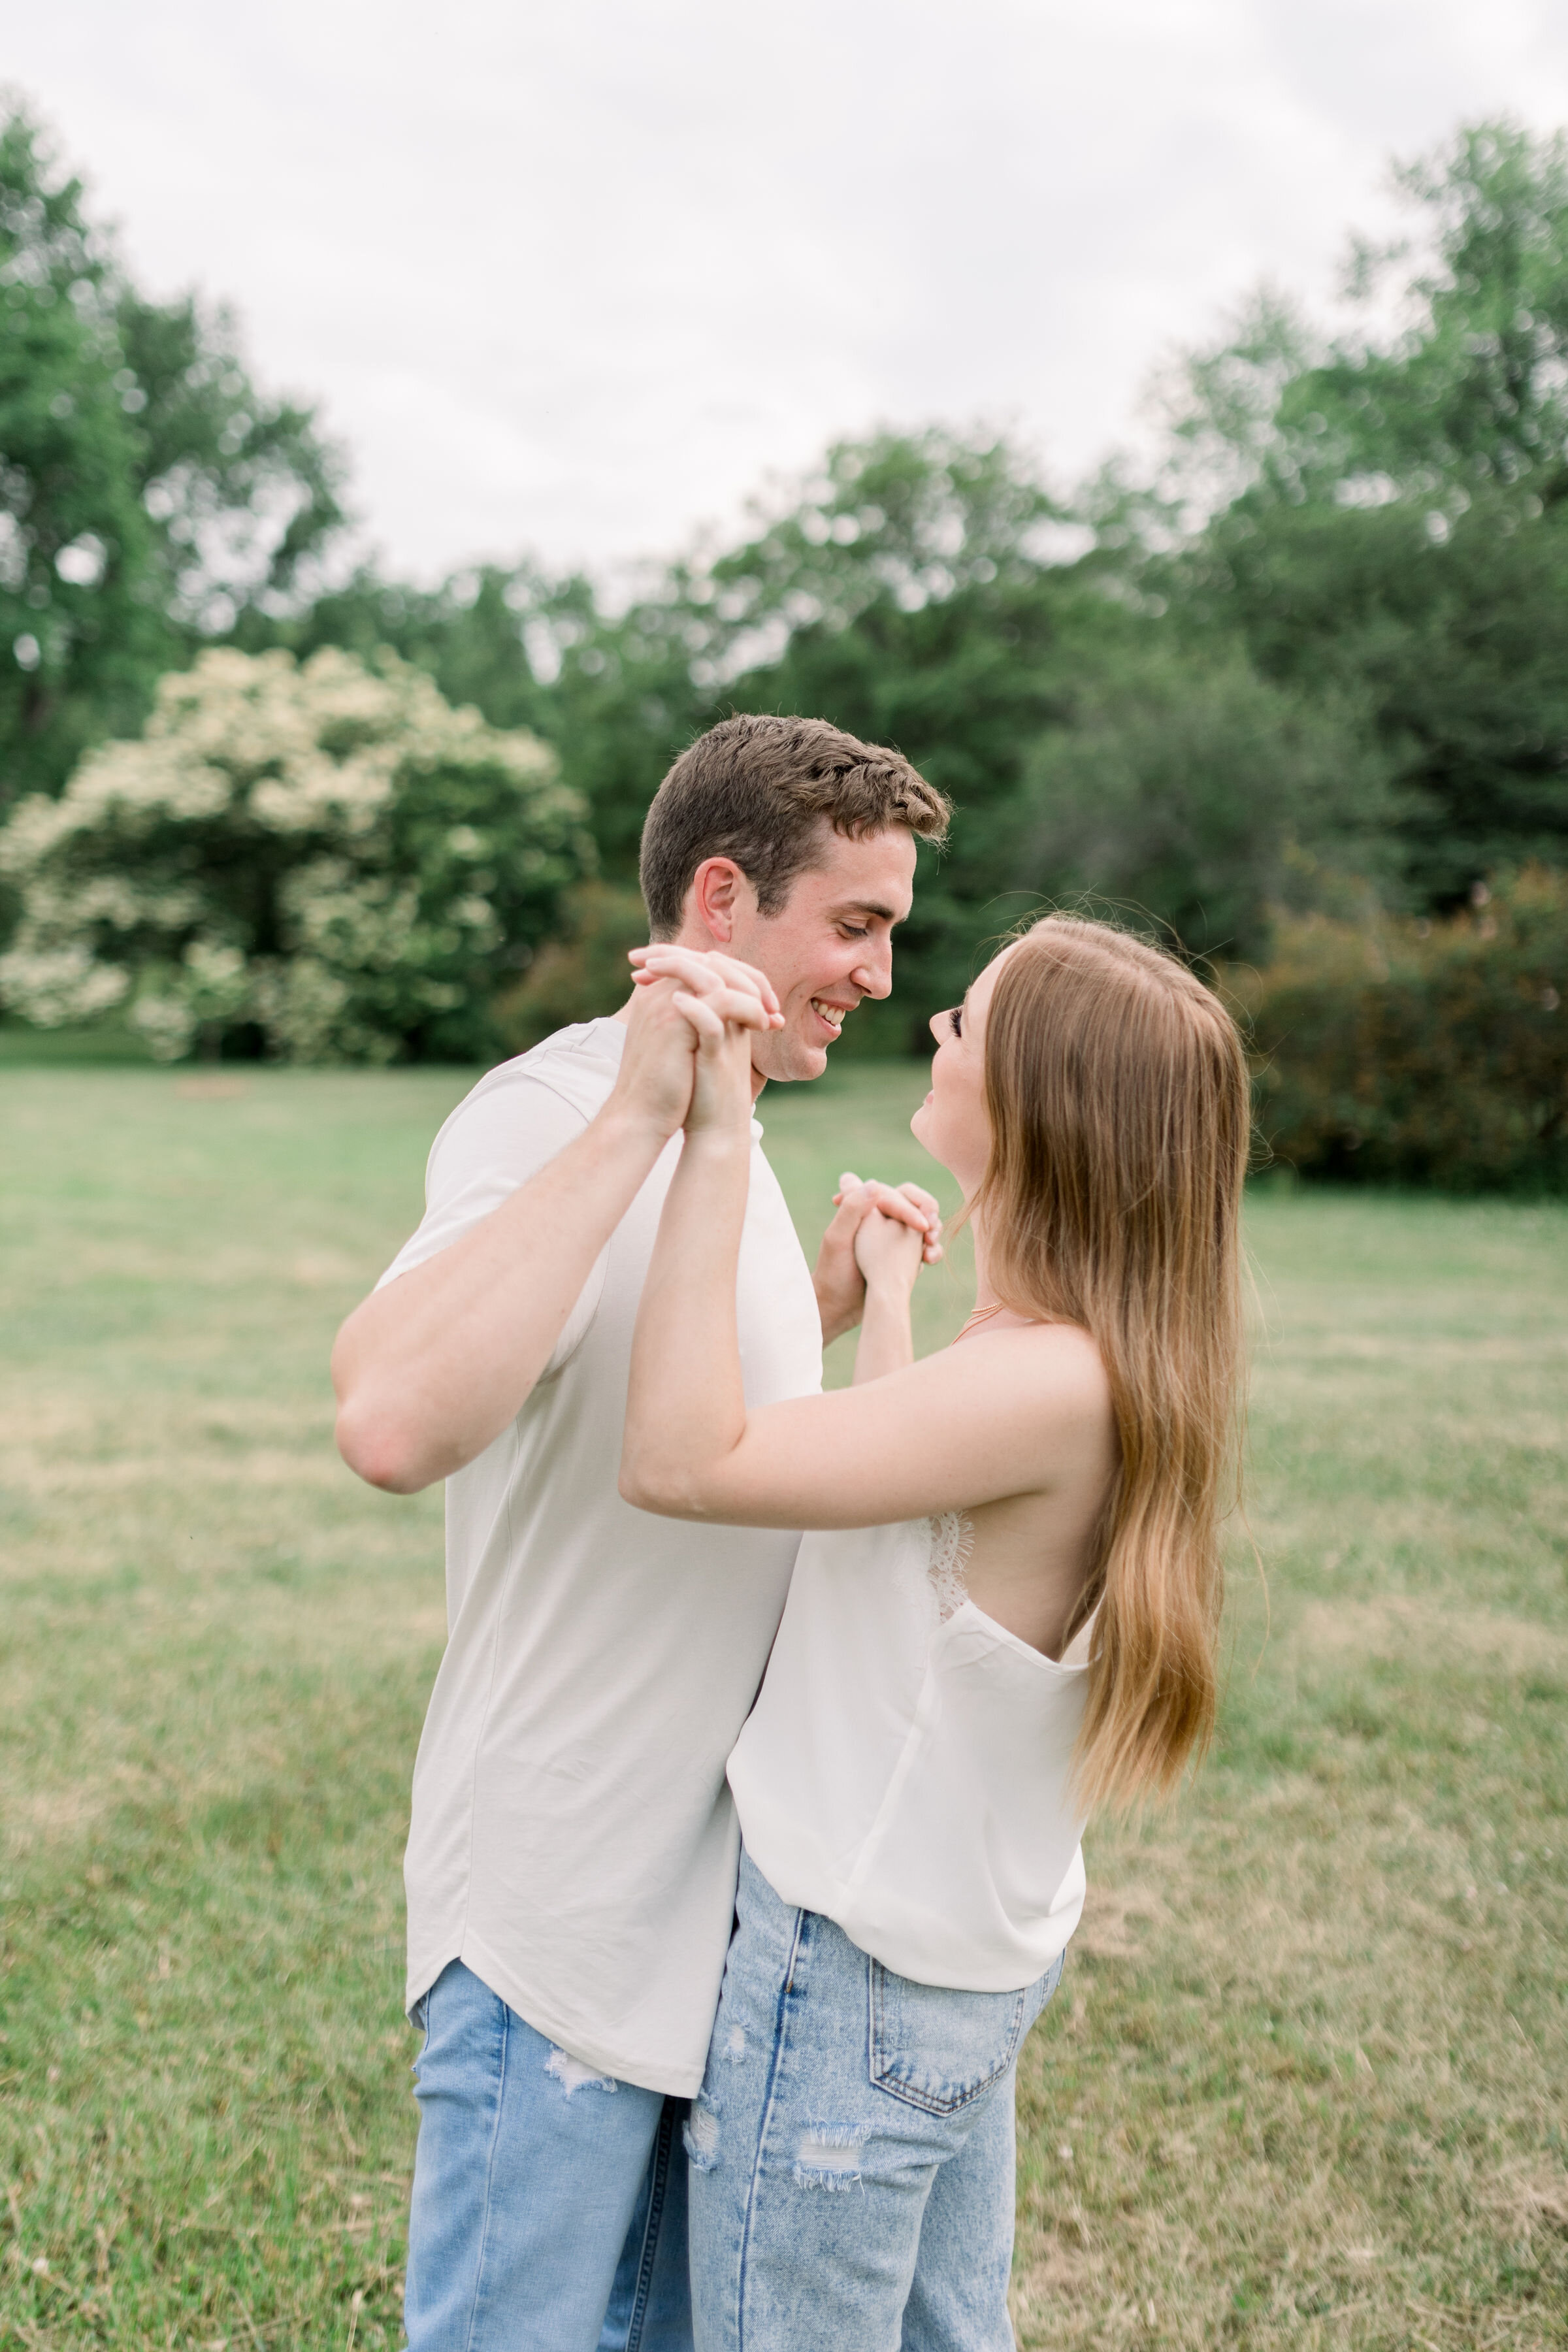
(572, 1836)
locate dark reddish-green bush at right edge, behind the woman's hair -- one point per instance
(1412, 1053)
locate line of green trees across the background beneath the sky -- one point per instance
(1308, 667)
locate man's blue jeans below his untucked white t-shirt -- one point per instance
(549, 2203)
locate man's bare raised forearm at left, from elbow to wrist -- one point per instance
(436, 1365)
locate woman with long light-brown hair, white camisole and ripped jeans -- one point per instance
(1007, 1617)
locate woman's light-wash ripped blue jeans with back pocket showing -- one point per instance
(852, 2149)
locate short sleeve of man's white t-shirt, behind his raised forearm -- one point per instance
(490, 1147)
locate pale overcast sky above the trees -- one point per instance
(579, 279)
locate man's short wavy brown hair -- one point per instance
(756, 791)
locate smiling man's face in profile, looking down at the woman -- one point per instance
(829, 947)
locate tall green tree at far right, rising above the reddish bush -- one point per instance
(1383, 519)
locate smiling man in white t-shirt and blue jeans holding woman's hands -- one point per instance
(572, 1847)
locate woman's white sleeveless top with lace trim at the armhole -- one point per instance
(906, 1765)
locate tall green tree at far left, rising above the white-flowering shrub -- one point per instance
(149, 493)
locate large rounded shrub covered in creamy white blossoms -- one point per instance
(323, 862)
